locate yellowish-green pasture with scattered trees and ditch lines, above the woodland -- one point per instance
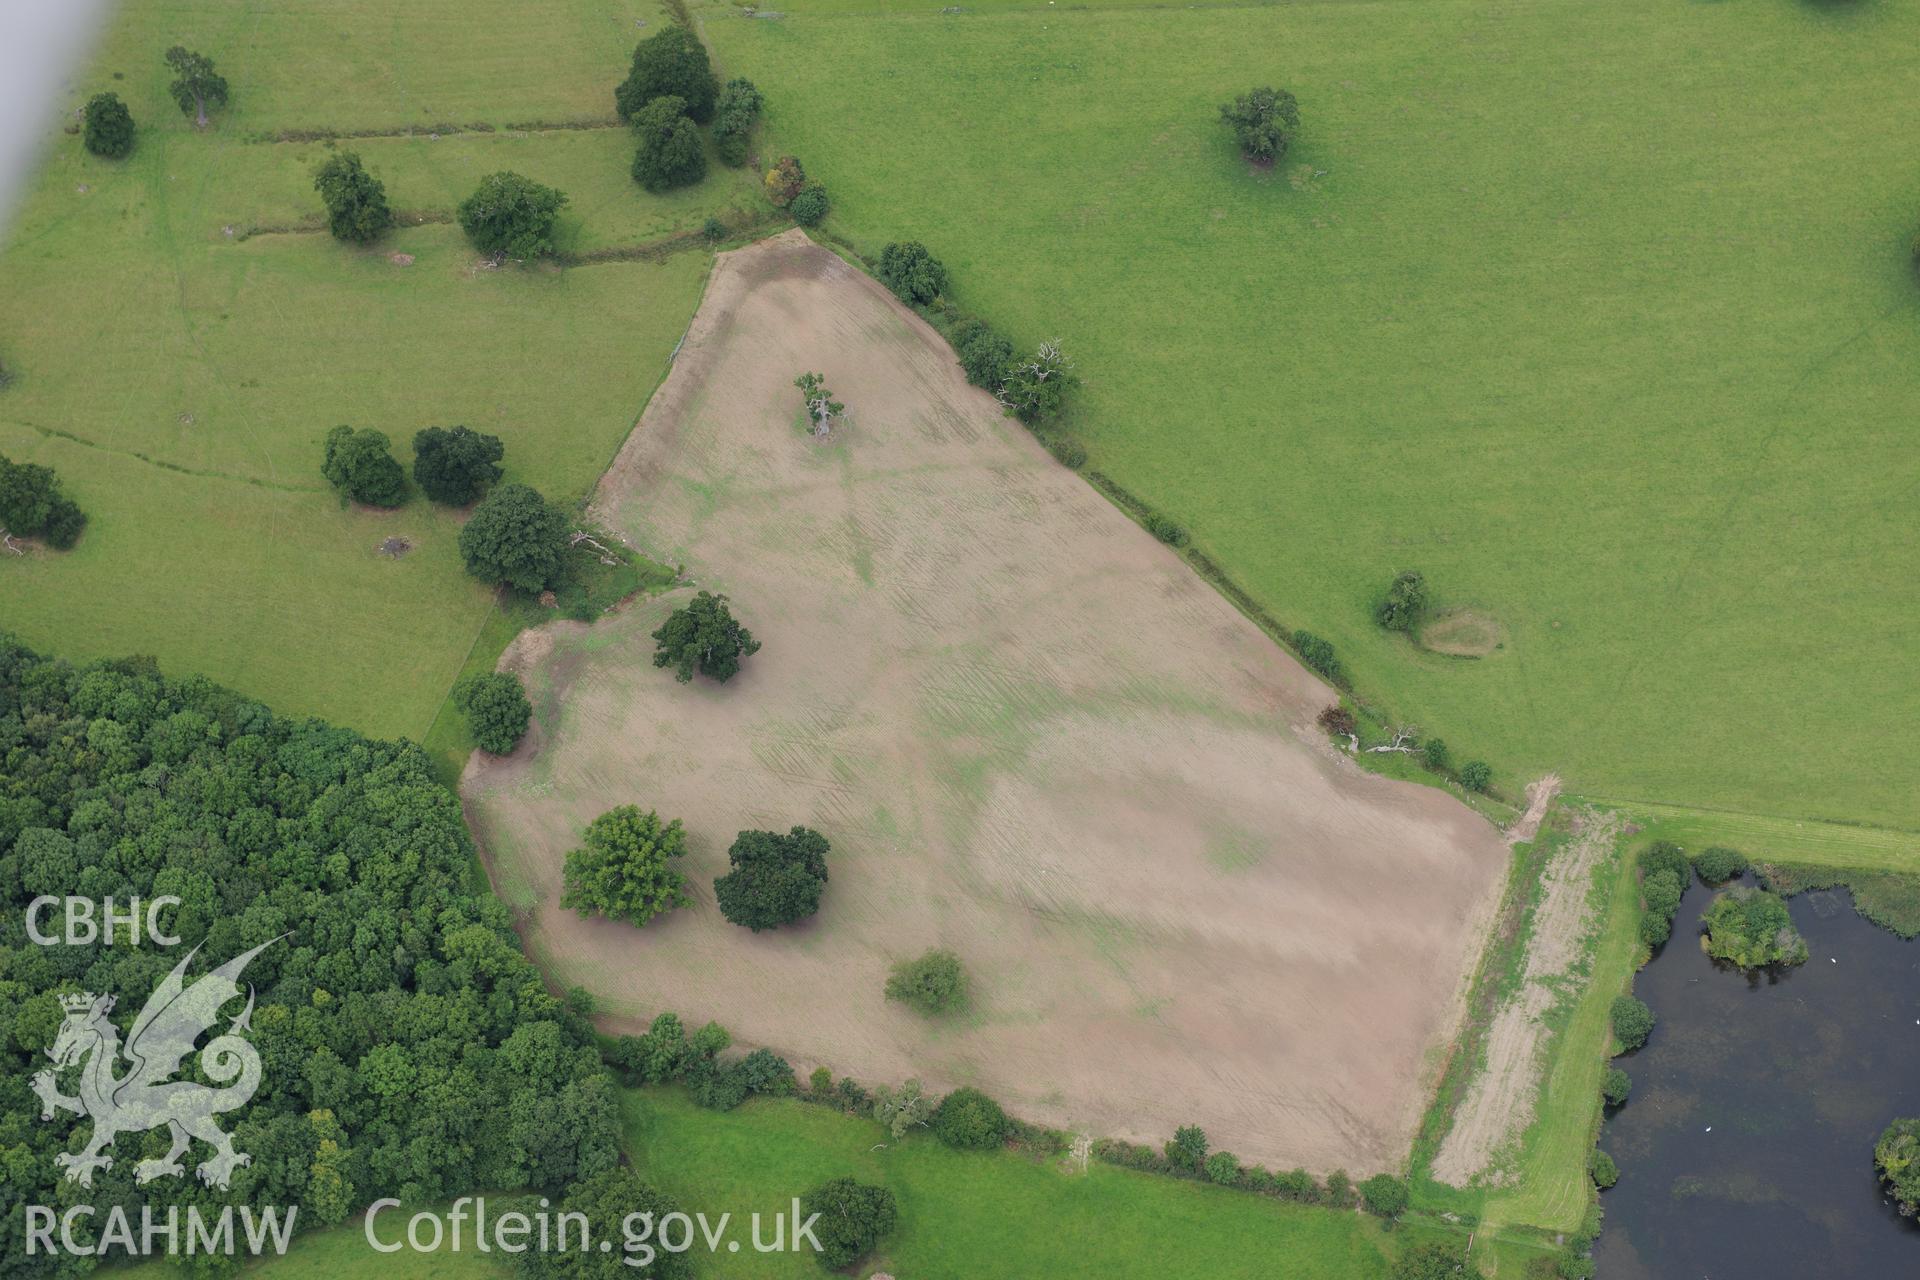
(180, 369)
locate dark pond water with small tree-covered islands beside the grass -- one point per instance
(1748, 1147)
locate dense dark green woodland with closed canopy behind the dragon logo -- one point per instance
(410, 1049)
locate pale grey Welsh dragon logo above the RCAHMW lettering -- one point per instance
(147, 1097)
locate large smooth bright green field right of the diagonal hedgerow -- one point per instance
(1602, 316)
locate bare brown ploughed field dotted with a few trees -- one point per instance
(1032, 738)
